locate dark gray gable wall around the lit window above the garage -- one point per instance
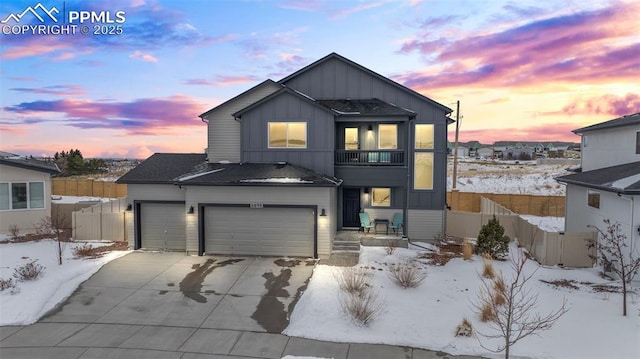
(286, 107)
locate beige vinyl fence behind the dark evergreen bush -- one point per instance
(549, 248)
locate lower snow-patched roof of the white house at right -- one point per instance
(624, 179)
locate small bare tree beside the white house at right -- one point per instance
(613, 252)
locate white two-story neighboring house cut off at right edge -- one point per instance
(608, 186)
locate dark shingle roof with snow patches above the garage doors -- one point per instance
(193, 169)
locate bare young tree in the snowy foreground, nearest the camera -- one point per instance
(510, 308)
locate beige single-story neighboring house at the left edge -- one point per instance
(25, 192)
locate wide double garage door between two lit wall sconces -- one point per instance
(259, 231)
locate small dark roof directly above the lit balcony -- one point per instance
(369, 107)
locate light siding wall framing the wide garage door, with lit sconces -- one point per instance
(320, 196)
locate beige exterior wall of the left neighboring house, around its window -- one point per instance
(25, 219)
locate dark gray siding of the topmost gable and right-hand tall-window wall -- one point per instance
(335, 79)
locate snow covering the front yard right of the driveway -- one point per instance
(427, 316)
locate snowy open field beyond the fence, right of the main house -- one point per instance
(524, 177)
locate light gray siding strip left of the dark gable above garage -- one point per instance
(223, 131)
